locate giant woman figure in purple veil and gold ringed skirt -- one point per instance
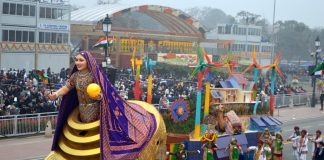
(103, 126)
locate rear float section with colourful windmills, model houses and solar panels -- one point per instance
(233, 114)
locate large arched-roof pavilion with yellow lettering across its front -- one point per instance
(151, 29)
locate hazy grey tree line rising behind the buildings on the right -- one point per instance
(295, 39)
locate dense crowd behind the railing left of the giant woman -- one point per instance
(23, 92)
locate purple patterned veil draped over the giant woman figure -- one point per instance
(125, 128)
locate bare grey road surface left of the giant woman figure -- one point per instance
(25, 148)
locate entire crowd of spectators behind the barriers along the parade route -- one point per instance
(24, 92)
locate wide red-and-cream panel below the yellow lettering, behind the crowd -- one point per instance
(190, 60)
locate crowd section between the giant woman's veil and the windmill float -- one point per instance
(165, 85)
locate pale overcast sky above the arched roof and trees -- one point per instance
(310, 12)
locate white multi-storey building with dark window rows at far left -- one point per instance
(34, 34)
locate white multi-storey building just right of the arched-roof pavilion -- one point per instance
(240, 40)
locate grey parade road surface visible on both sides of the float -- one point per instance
(38, 147)
